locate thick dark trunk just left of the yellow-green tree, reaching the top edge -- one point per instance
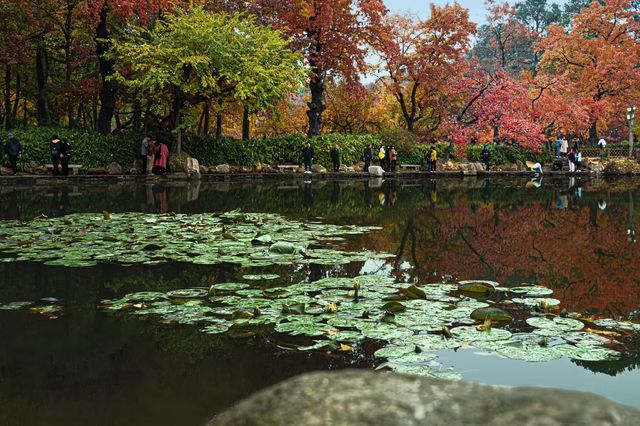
(108, 88)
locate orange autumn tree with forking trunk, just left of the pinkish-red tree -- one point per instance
(422, 57)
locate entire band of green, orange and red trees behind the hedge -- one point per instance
(534, 70)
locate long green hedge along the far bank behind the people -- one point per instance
(94, 150)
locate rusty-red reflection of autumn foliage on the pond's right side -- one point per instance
(590, 265)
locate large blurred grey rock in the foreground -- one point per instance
(357, 398)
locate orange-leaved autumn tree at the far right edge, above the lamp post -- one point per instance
(597, 59)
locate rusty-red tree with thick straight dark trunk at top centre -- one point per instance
(333, 35)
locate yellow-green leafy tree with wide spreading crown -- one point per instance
(195, 55)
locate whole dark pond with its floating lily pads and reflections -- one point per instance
(287, 277)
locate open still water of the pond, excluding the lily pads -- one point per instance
(90, 367)
